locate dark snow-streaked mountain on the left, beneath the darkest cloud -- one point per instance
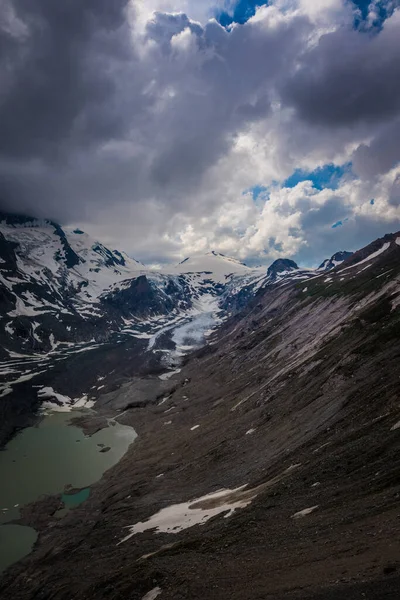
(60, 286)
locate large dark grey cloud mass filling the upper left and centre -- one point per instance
(85, 121)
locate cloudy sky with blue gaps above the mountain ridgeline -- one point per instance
(168, 128)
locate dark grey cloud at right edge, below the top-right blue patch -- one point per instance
(348, 77)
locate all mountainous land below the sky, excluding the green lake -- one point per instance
(265, 402)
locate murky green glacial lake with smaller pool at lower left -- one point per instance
(42, 460)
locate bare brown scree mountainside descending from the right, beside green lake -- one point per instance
(296, 398)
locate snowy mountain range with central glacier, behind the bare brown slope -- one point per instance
(74, 312)
